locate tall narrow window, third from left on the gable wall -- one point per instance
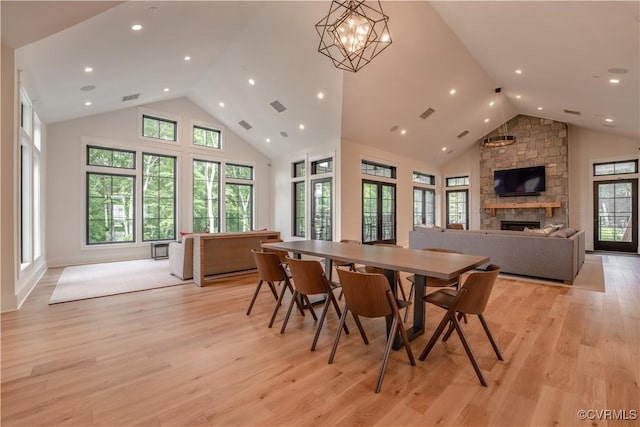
(206, 194)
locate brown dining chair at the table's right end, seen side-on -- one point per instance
(471, 298)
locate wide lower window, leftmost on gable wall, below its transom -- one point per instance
(111, 207)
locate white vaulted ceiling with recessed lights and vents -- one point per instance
(565, 50)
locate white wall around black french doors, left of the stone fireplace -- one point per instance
(351, 155)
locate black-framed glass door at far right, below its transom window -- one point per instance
(616, 215)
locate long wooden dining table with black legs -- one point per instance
(423, 264)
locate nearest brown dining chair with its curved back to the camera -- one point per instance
(369, 295)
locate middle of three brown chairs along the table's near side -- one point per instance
(309, 279)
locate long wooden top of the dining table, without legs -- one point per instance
(440, 265)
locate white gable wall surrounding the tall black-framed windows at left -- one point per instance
(66, 189)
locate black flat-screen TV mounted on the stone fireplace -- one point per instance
(520, 181)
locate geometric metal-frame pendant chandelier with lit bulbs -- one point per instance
(353, 33)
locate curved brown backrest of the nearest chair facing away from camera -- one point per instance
(366, 294)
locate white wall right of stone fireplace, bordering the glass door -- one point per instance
(585, 148)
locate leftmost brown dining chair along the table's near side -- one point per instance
(271, 270)
